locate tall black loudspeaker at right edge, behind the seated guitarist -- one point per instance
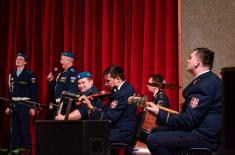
(228, 102)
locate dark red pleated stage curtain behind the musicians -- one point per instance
(140, 35)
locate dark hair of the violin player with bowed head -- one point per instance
(115, 71)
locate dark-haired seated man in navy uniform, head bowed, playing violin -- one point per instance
(121, 114)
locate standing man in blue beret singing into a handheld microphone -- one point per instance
(66, 80)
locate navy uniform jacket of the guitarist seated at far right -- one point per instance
(202, 112)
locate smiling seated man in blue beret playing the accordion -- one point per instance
(85, 85)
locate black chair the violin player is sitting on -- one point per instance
(126, 147)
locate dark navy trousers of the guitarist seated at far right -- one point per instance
(169, 142)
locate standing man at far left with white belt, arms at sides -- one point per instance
(22, 86)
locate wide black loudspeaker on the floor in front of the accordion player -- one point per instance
(88, 137)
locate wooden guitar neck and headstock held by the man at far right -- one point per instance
(141, 102)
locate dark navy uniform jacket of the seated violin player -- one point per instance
(121, 114)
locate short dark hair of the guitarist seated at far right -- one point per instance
(206, 56)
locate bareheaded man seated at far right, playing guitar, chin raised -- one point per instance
(199, 123)
